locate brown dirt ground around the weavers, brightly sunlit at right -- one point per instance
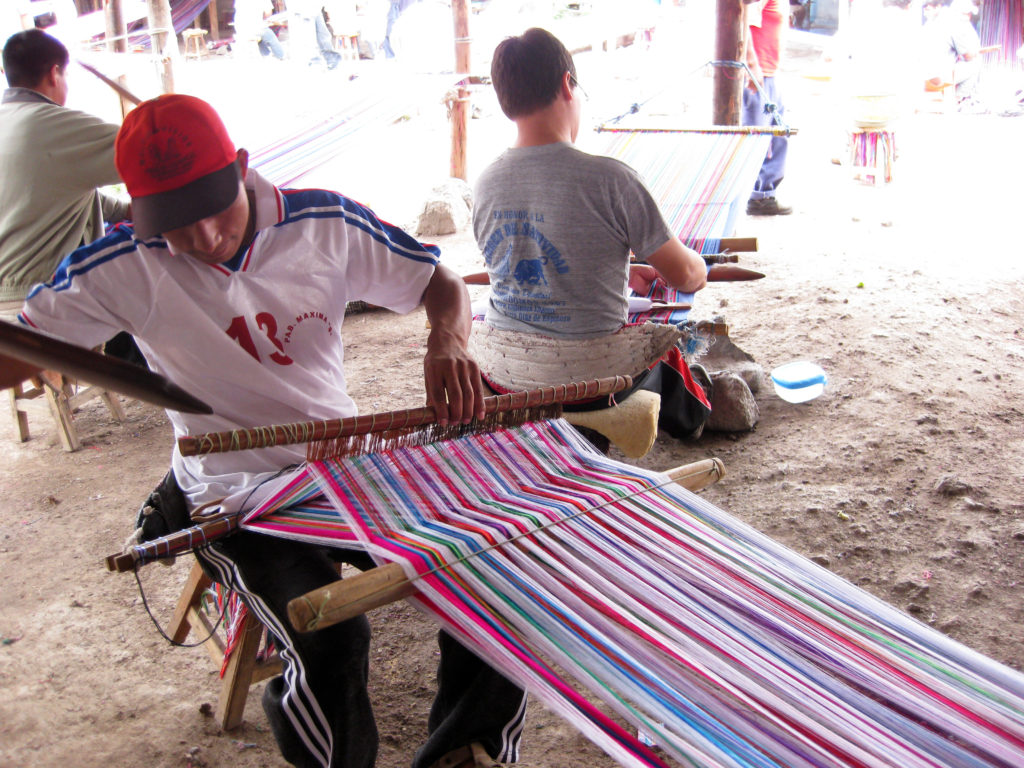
(904, 478)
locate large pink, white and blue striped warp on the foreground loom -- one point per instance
(676, 619)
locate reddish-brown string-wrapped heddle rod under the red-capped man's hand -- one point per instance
(328, 430)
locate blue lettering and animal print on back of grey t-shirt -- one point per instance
(523, 263)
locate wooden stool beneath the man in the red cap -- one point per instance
(244, 667)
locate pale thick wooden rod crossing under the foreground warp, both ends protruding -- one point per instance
(348, 599)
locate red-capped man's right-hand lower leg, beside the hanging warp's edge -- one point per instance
(475, 704)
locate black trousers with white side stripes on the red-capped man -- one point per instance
(319, 709)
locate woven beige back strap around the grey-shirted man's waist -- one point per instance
(519, 361)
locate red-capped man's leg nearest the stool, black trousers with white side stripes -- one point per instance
(319, 709)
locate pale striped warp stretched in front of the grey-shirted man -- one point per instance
(700, 180)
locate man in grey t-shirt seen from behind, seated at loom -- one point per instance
(557, 226)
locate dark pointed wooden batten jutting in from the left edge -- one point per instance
(53, 354)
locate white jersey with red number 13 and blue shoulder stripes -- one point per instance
(258, 338)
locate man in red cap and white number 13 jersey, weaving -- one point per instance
(238, 290)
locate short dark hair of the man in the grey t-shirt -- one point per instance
(528, 71)
